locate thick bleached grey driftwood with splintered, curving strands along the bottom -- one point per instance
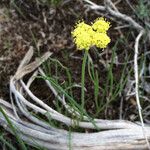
(118, 134)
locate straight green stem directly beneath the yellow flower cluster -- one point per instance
(83, 79)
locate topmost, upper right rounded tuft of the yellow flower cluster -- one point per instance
(100, 25)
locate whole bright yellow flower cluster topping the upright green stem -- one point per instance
(86, 36)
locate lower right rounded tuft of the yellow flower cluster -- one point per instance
(101, 40)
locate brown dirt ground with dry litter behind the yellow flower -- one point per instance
(49, 29)
